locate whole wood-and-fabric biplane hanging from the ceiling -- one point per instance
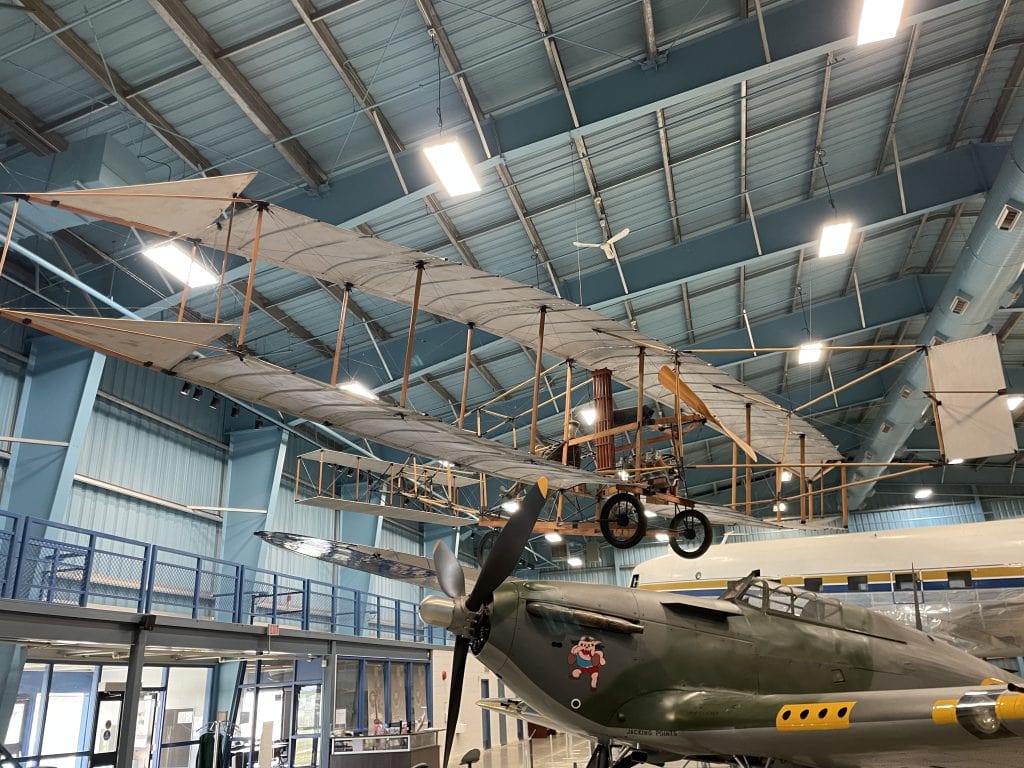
(210, 212)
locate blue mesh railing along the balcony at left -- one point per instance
(52, 563)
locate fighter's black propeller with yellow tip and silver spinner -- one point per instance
(466, 616)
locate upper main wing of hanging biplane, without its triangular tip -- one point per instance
(510, 310)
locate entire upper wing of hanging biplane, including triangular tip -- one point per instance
(495, 305)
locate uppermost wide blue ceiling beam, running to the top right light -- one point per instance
(797, 32)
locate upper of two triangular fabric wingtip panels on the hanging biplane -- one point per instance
(170, 208)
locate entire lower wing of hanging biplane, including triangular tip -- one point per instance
(158, 345)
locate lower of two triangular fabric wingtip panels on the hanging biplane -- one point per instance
(158, 345)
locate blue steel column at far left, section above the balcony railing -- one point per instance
(57, 402)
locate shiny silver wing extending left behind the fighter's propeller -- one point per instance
(386, 563)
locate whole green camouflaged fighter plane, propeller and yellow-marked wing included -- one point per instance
(763, 676)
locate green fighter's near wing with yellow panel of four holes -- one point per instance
(958, 728)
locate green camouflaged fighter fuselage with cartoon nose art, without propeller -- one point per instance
(690, 676)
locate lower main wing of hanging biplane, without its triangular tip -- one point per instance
(262, 382)
